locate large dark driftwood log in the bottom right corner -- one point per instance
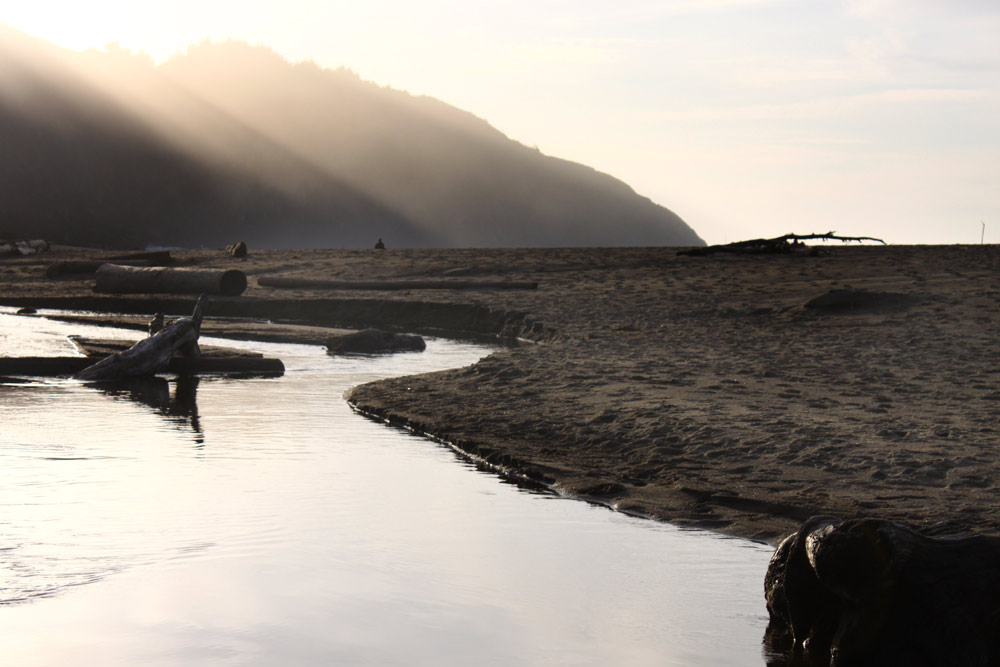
(867, 592)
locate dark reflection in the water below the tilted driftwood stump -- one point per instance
(179, 409)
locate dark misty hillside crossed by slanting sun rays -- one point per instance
(231, 142)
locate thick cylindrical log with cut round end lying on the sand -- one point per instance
(118, 279)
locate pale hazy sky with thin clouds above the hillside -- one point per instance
(748, 118)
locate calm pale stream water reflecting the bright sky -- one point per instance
(262, 522)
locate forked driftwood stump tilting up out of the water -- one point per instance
(152, 355)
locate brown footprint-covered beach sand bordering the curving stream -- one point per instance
(696, 390)
